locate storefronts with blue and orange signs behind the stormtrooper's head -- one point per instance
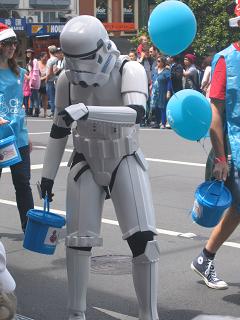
(38, 23)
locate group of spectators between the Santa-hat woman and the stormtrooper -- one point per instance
(40, 80)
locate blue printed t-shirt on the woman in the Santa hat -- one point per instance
(11, 103)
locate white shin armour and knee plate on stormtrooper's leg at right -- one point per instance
(145, 279)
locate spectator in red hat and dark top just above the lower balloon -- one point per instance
(190, 74)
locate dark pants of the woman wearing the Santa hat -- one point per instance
(21, 181)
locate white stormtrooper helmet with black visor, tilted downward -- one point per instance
(89, 53)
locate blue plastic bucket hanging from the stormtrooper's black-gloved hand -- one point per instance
(43, 229)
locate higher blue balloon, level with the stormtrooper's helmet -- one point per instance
(172, 27)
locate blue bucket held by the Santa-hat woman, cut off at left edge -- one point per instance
(9, 154)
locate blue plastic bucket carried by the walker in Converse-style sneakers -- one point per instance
(212, 198)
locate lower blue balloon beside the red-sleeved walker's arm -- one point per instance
(189, 114)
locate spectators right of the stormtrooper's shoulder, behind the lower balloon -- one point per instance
(168, 75)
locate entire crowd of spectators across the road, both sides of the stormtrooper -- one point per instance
(166, 75)
